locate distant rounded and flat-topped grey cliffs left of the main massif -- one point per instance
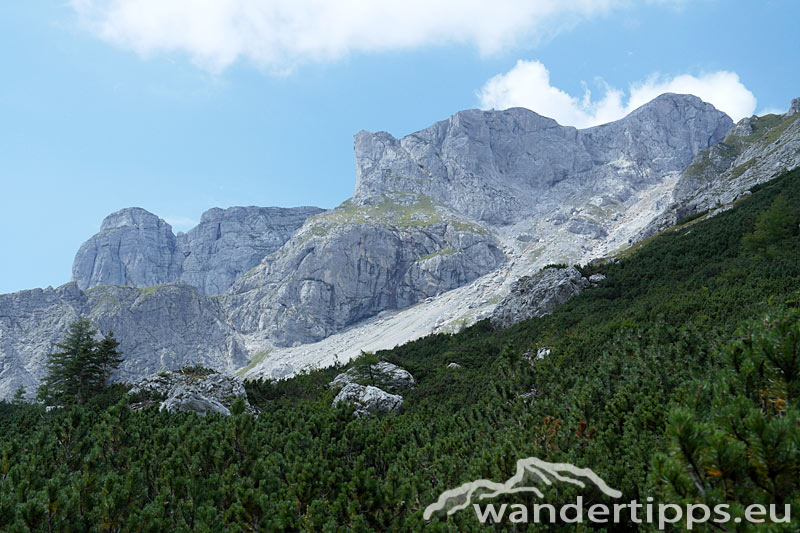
(136, 248)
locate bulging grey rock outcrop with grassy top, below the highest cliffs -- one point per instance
(355, 261)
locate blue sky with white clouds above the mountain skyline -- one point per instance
(181, 106)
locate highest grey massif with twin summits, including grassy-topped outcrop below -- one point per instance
(432, 211)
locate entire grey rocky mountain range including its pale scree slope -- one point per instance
(441, 223)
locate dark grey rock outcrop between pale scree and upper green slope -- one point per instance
(538, 295)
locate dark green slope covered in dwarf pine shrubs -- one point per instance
(623, 355)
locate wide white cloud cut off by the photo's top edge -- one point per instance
(279, 34)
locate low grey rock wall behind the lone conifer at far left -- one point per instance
(159, 328)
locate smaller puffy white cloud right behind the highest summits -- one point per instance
(527, 84)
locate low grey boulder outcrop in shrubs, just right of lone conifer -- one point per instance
(200, 393)
